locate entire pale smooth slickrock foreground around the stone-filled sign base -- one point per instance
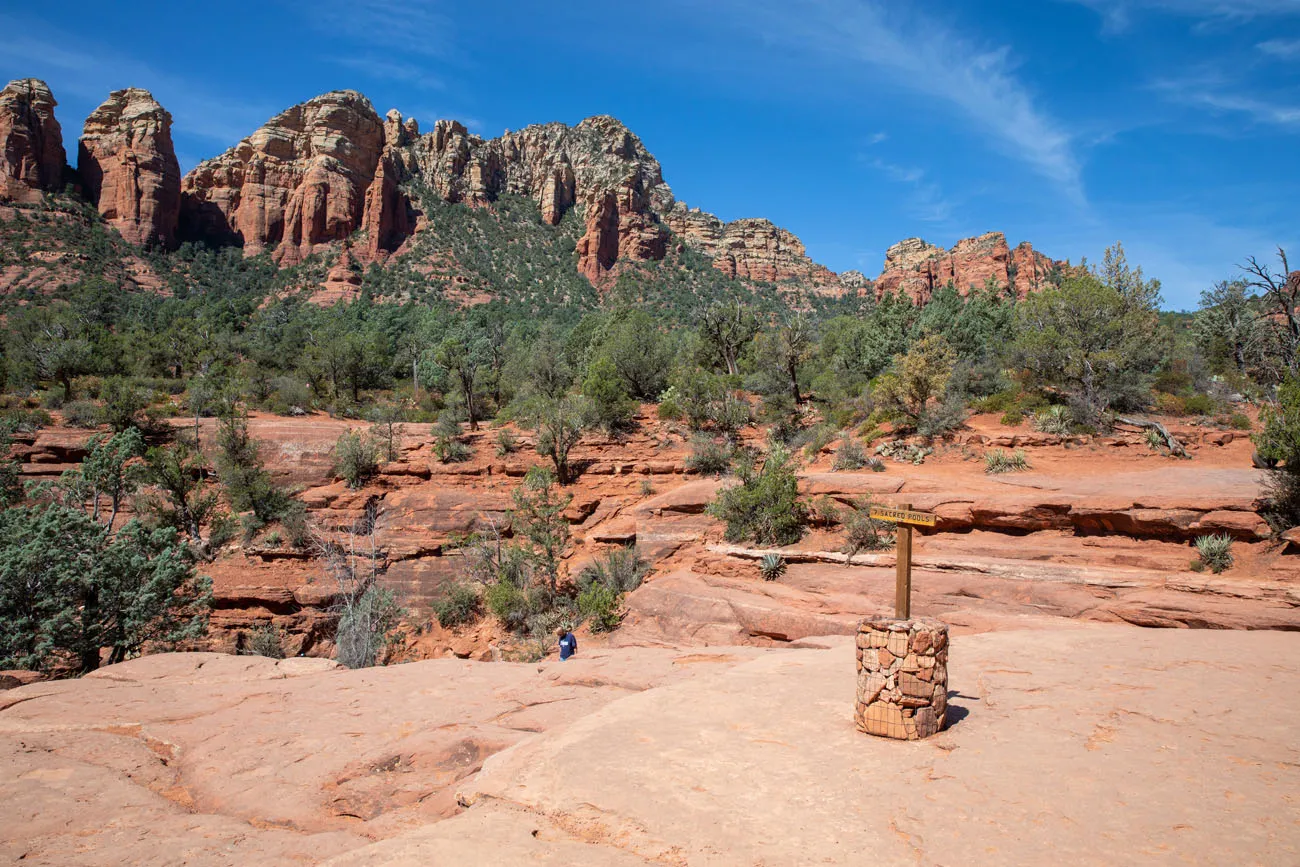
(1085, 745)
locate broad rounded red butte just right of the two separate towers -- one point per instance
(297, 183)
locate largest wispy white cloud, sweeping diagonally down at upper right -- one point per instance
(929, 58)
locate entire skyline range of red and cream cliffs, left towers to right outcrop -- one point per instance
(330, 168)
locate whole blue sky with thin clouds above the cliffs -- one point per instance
(1172, 125)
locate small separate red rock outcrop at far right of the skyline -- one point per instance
(917, 270)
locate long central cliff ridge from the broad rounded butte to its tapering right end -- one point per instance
(320, 171)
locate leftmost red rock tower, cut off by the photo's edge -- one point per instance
(32, 142)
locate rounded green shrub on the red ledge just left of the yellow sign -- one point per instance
(765, 508)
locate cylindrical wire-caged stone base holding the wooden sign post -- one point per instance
(903, 678)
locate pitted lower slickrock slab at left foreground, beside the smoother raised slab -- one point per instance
(274, 762)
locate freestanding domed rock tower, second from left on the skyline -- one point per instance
(129, 167)
